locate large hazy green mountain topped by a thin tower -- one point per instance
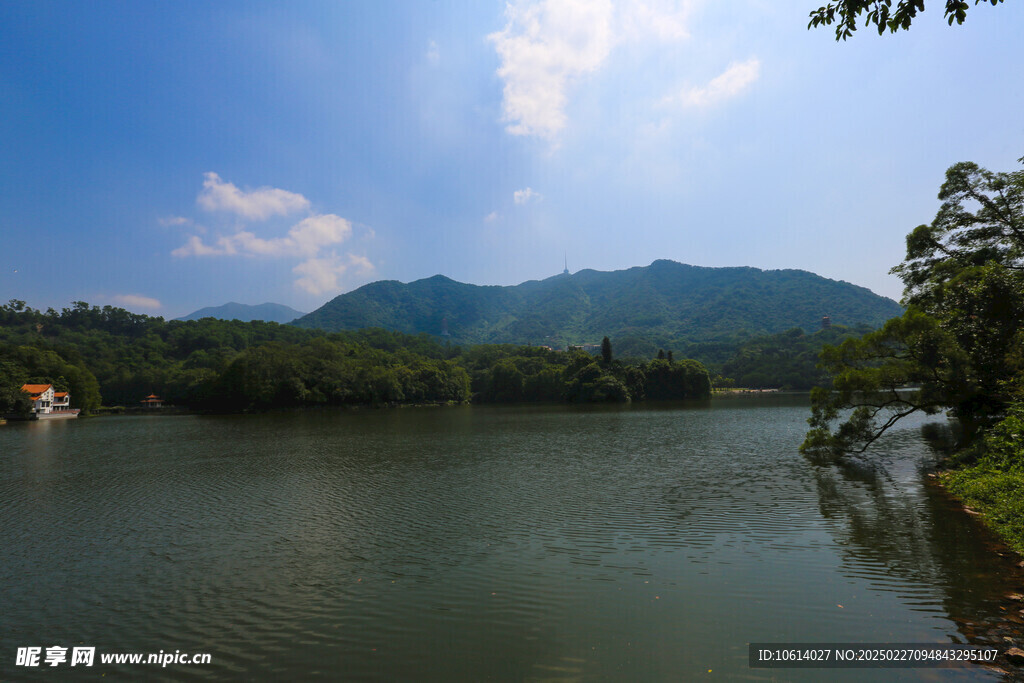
(666, 303)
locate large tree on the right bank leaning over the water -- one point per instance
(960, 343)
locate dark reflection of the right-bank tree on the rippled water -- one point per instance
(893, 527)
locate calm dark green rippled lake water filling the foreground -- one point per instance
(463, 544)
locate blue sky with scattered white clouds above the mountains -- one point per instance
(165, 157)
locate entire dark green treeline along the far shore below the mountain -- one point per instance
(234, 366)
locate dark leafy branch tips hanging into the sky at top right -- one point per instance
(880, 13)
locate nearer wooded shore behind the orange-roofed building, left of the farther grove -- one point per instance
(226, 365)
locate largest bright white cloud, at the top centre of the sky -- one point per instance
(547, 46)
